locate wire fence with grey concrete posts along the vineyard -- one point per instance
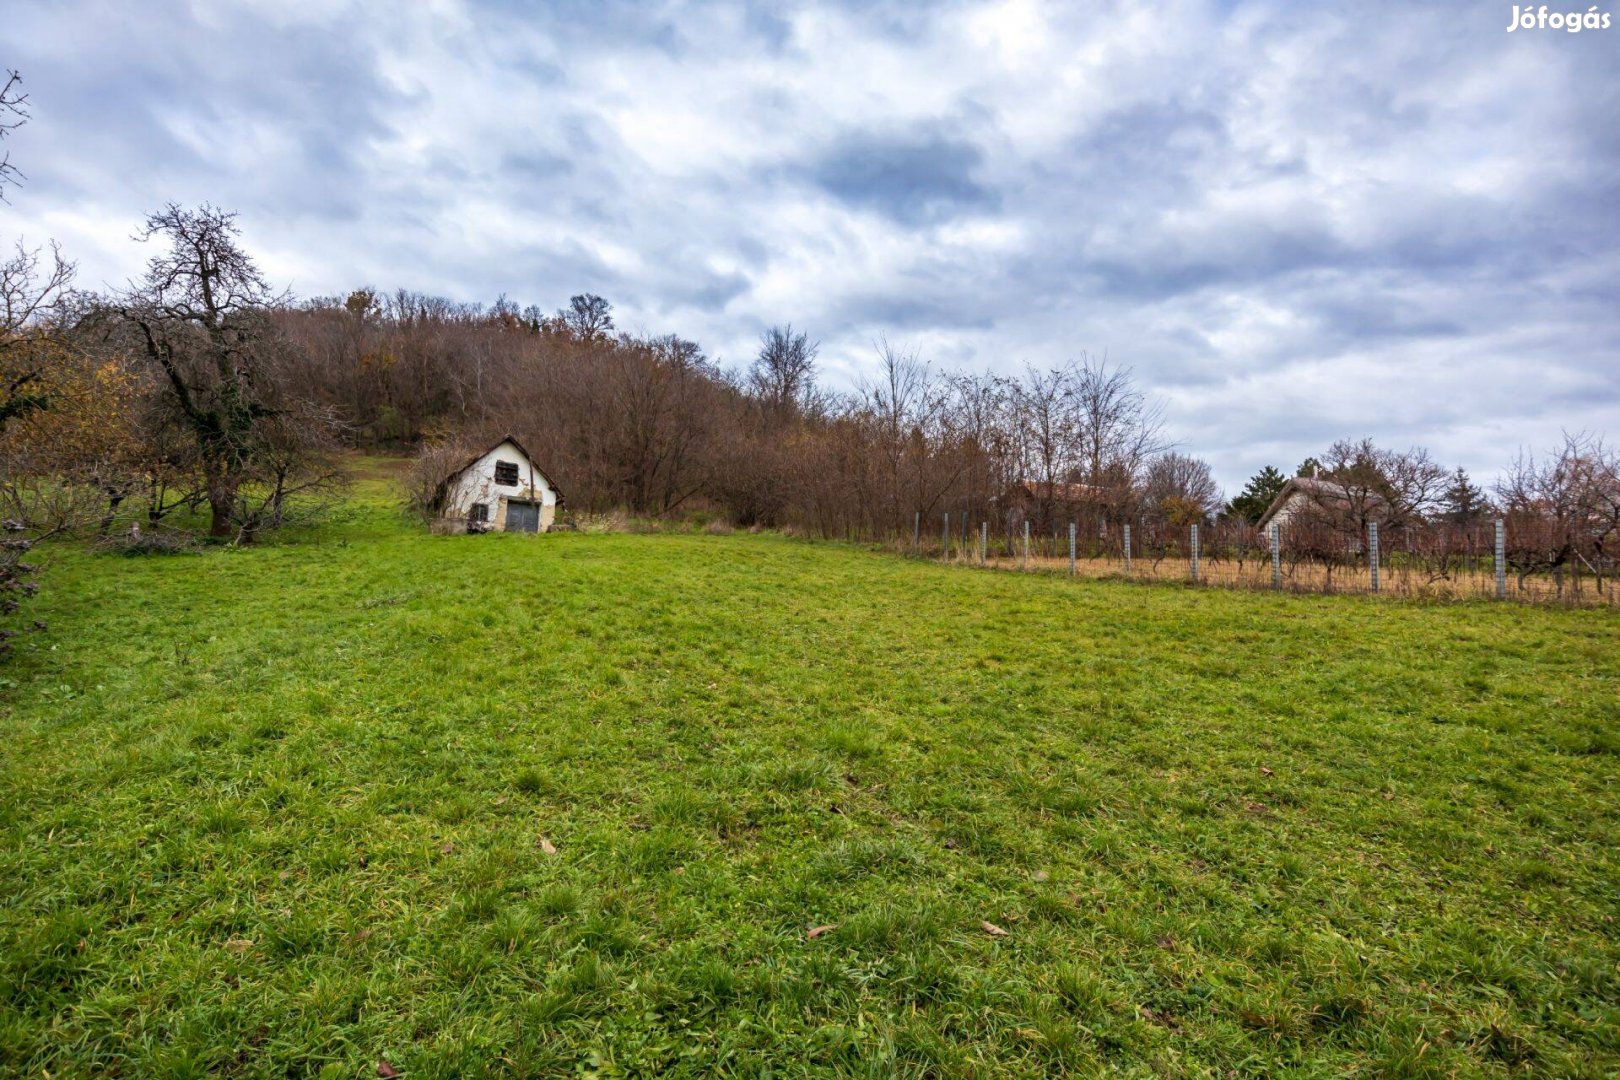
(1520, 559)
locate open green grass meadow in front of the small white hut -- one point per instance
(286, 812)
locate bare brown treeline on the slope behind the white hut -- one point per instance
(652, 427)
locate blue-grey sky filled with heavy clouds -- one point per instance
(1295, 223)
